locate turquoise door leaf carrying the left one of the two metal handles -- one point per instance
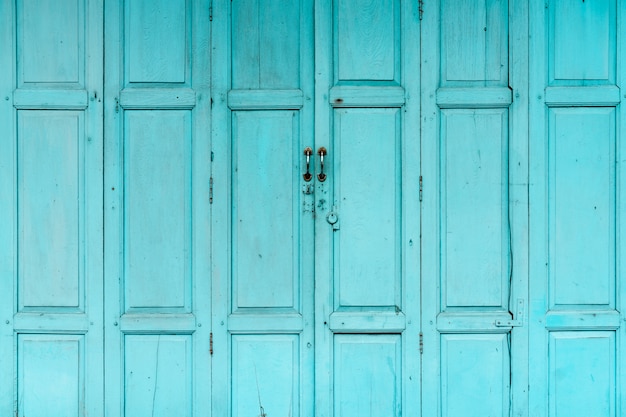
(263, 208)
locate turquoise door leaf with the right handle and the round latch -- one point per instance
(367, 211)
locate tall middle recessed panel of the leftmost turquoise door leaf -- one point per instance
(51, 208)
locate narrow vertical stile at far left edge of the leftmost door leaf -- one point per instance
(8, 206)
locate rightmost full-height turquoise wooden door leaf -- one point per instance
(576, 196)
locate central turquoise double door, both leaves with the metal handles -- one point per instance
(316, 280)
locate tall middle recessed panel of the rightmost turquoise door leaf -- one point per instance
(582, 205)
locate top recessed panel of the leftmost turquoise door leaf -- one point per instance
(51, 41)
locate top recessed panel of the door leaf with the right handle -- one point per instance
(367, 40)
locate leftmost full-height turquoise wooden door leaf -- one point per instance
(51, 208)
